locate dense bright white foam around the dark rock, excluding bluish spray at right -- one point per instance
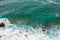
(12, 32)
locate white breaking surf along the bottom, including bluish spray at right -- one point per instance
(26, 32)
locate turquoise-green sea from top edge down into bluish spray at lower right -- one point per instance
(33, 13)
